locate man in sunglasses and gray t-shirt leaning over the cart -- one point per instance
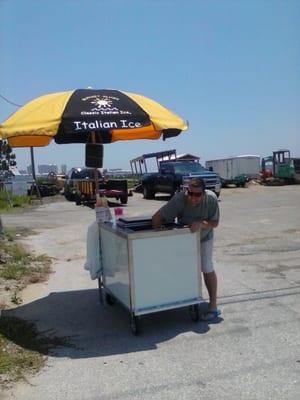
(199, 209)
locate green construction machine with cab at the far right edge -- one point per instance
(280, 168)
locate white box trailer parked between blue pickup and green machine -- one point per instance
(236, 170)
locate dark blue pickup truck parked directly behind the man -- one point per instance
(174, 176)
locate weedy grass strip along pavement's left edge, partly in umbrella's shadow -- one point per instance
(23, 349)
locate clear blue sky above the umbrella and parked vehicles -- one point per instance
(231, 68)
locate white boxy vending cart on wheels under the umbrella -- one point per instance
(150, 270)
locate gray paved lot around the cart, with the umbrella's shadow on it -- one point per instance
(252, 352)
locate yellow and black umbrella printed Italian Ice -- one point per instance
(89, 116)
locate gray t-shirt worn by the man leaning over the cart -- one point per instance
(178, 206)
